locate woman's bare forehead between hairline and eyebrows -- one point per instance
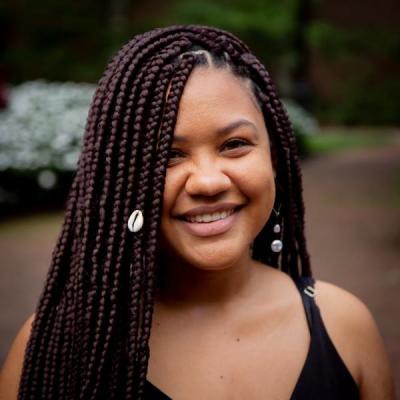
(213, 98)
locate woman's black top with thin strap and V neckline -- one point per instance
(324, 374)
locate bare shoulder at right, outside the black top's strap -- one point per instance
(355, 335)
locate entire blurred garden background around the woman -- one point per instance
(337, 67)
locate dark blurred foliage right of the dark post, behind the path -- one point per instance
(368, 61)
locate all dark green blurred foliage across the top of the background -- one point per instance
(60, 40)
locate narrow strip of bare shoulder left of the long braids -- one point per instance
(11, 371)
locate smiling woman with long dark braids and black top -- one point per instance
(182, 270)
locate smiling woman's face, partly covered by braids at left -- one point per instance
(219, 189)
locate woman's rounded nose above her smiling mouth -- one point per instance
(207, 179)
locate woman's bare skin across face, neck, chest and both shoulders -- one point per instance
(221, 319)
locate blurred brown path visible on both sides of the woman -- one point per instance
(353, 228)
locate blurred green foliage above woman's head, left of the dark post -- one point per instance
(56, 41)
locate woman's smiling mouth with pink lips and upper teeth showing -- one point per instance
(210, 224)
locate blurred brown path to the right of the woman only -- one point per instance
(353, 228)
